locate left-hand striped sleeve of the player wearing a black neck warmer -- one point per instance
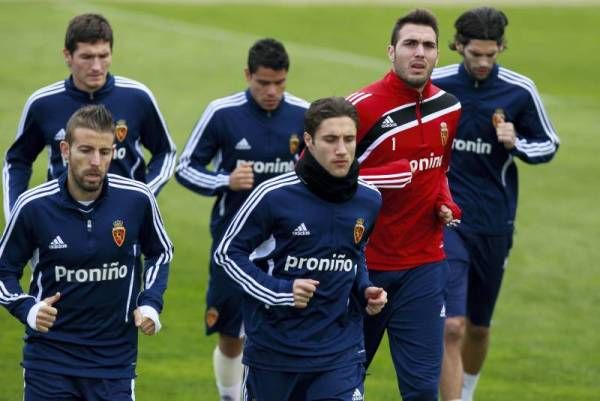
(250, 228)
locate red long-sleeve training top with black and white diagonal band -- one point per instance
(404, 145)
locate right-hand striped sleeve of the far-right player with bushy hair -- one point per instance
(537, 141)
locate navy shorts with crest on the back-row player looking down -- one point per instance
(224, 298)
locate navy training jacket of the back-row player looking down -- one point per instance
(233, 130)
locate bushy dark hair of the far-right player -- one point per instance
(483, 23)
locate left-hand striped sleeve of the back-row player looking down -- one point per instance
(201, 149)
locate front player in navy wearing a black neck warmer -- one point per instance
(296, 247)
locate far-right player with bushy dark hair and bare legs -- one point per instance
(503, 119)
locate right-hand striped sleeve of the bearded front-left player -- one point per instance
(158, 253)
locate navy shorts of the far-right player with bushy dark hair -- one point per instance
(477, 265)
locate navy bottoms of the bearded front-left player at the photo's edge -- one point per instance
(46, 386)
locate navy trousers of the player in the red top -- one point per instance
(414, 320)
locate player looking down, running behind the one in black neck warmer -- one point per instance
(249, 137)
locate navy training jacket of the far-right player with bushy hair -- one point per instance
(483, 177)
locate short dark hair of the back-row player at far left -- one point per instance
(87, 28)
